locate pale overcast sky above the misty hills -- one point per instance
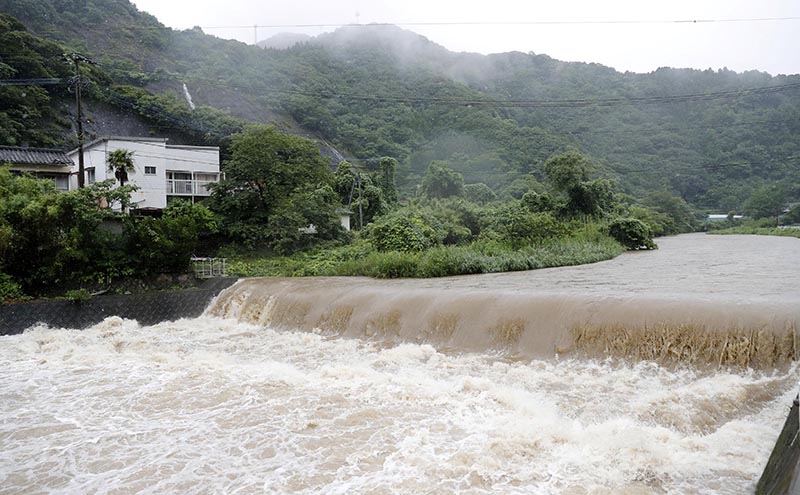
(767, 45)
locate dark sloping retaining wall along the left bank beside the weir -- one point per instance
(147, 308)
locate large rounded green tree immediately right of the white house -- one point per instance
(268, 183)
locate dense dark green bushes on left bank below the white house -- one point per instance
(50, 239)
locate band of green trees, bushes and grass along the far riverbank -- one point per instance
(277, 186)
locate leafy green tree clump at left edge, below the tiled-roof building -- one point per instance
(49, 237)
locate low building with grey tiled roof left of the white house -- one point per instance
(49, 164)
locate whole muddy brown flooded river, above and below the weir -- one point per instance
(271, 393)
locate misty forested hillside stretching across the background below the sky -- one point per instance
(712, 137)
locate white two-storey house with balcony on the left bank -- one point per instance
(162, 171)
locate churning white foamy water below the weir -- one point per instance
(215, 406)
